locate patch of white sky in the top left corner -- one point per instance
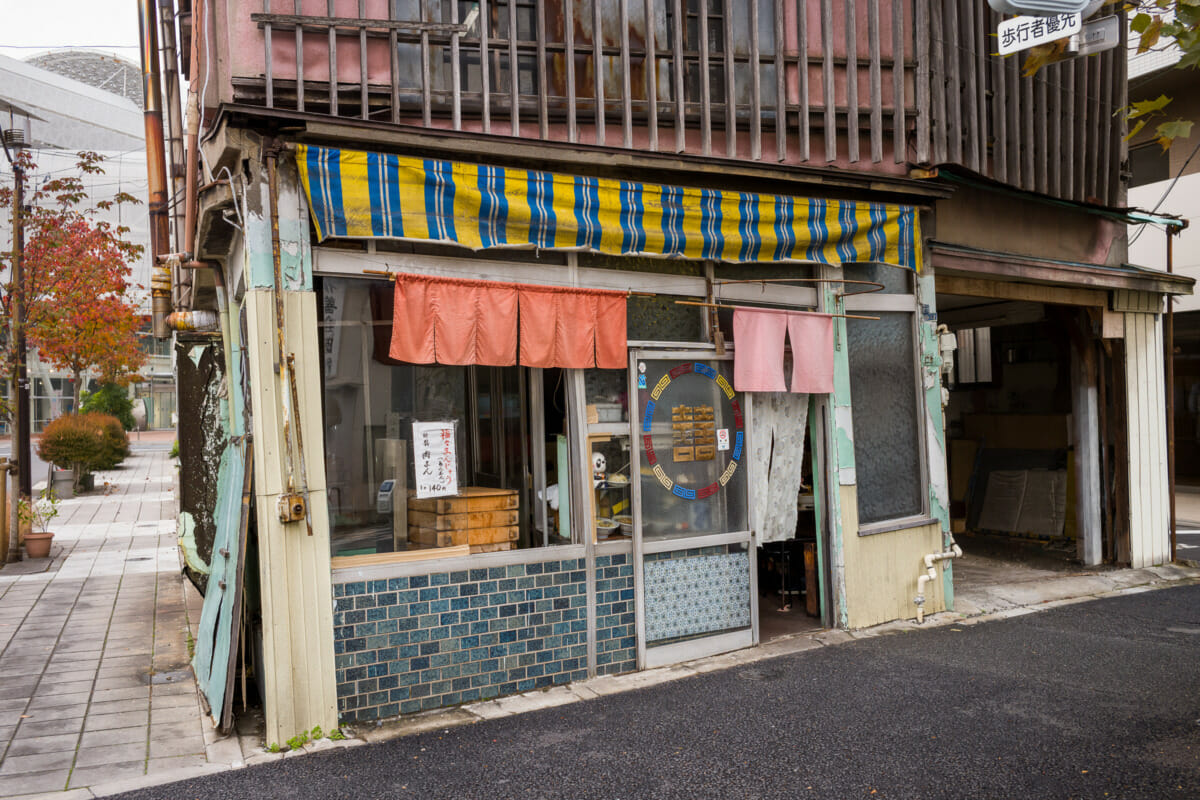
(33, 27)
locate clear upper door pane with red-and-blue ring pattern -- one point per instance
(693, 440)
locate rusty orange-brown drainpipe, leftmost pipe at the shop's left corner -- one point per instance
(157, 171)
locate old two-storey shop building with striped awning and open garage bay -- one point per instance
(482, 238)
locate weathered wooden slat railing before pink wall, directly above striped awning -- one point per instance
(788, 81)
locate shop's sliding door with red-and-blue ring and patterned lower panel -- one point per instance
(694, 551)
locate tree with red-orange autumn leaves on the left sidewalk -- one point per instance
(79, 310)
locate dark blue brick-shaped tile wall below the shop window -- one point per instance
(411, 645)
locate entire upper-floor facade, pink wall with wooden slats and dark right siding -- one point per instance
(869, 86)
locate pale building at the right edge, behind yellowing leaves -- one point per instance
(1169, 182)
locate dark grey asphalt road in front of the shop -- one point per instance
(1099, 700)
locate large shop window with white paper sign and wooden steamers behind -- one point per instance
(501, 435)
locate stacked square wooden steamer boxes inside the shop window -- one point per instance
(487, 520)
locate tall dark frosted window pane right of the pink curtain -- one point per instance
(886, 417)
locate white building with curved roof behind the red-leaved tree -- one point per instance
(63, 117)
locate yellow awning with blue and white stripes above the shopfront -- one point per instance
(370, 195)
